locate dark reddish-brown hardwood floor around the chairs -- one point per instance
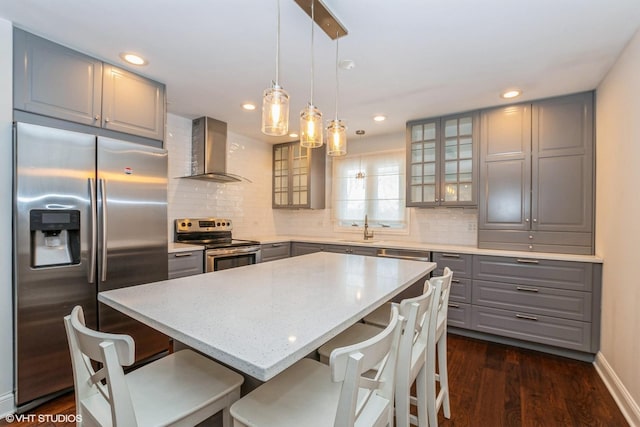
(493, 385)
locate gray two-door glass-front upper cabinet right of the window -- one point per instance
(442, 161)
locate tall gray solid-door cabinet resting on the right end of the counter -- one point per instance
(536, 176)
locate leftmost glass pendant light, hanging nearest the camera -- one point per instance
(275, 101)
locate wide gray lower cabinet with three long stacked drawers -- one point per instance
(549, 302)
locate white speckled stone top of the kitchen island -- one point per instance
(262, 318)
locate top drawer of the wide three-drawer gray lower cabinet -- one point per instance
(576, 276)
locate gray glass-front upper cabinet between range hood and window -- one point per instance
(298, 176)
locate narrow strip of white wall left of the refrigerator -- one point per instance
(6, 144)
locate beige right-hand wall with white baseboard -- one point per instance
(618, 227)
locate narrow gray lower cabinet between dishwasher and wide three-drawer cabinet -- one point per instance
(459, 310)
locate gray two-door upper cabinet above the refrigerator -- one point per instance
(55, 81)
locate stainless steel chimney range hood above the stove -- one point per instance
(209, 151)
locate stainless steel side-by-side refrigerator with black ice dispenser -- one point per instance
(90, 214)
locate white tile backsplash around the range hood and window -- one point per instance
(248, 204)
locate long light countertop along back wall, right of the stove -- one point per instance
(384, 242)
